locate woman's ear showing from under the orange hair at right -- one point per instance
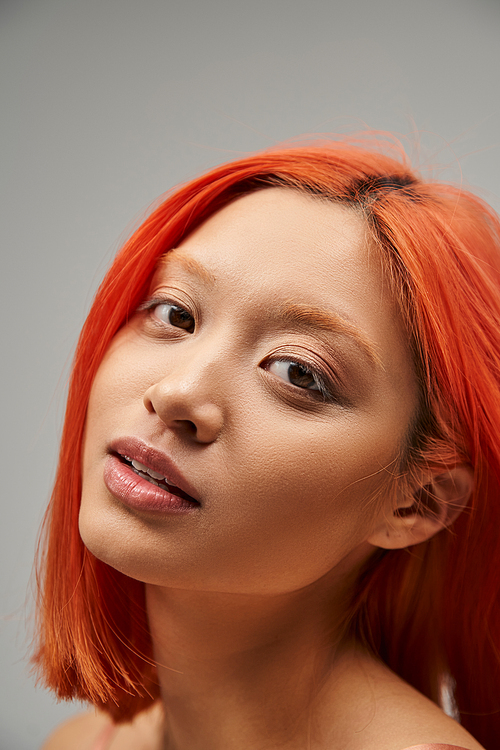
(435, 504)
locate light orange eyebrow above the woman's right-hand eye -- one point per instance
(309, 316)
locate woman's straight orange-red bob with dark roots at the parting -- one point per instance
(431, 612)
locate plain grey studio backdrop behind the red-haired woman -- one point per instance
(105, 104)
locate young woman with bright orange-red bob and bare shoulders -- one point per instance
(275, 519)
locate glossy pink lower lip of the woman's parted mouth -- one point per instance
(139, 494)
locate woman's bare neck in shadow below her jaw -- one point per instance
(242, 670)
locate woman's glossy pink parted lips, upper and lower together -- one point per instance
(145, 479)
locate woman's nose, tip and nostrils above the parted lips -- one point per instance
(187, 400)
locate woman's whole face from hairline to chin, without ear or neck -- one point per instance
(269, 377)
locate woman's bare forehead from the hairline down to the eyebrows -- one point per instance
(278, 252)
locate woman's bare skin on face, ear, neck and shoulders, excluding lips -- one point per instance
(271, 365)
